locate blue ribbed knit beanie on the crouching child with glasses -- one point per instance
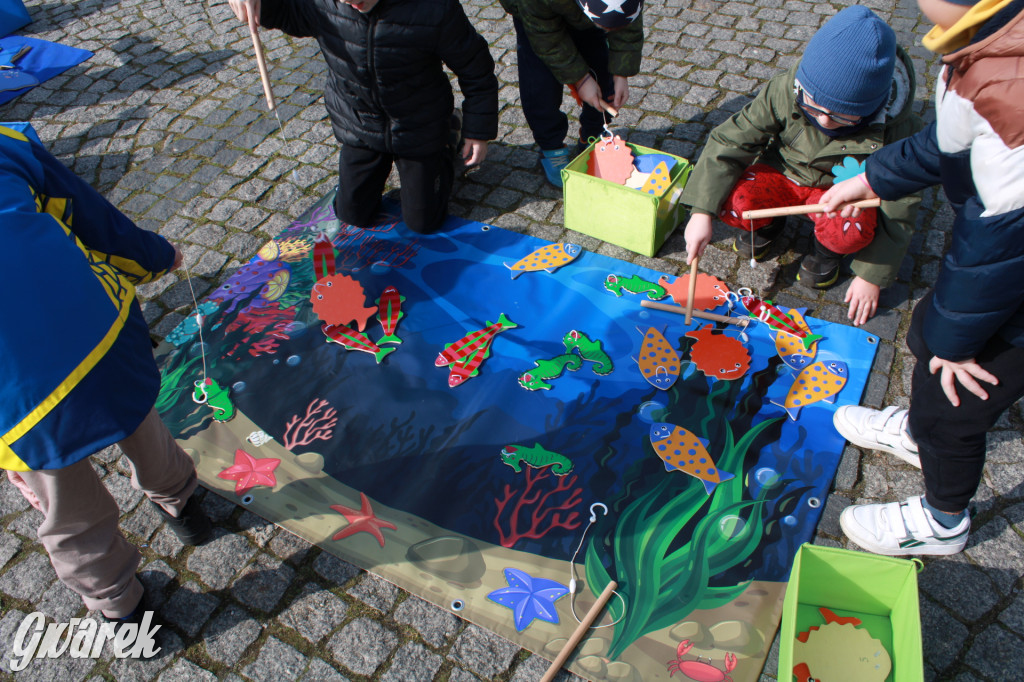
(848, 65)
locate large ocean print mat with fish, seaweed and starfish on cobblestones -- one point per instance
(487, 420)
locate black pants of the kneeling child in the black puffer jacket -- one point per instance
(426, 187)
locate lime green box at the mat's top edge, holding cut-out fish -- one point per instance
(622, 216)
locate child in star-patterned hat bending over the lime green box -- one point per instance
(593, 47)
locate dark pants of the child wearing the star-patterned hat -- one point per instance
(541, 93)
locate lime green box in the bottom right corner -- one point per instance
(881, 591)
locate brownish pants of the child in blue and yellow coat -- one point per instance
(80, 530)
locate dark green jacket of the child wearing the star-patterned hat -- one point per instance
(547, 24)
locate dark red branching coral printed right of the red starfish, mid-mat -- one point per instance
(543, 509)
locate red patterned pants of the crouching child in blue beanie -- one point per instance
(763, 187)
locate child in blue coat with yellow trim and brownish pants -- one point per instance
(66, 396)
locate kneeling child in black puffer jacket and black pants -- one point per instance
(390, 99)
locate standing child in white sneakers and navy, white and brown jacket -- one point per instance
(970, 328)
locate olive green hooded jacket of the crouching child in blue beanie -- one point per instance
(773, 130)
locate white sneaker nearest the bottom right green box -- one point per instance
(903, 528)
